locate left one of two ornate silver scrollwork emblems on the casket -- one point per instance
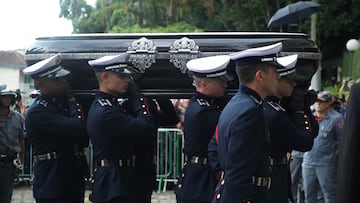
(142, 54)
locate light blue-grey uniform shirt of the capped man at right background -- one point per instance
(324, 152)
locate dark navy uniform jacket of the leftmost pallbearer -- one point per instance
(52, 125)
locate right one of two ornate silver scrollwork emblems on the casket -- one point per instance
(181, 51)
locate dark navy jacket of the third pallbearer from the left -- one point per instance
(201, 117)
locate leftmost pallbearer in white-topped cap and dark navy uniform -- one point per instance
(55, 127)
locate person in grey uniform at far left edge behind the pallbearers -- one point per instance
(11, 143)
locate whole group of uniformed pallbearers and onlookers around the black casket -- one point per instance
(254, 146)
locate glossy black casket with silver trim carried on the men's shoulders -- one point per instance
(159, 59)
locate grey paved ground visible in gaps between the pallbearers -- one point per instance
(23, 194)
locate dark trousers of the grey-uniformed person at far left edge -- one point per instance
(7, 174)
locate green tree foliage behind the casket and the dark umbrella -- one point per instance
(337, 20)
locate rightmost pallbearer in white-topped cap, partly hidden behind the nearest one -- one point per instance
(288, 130)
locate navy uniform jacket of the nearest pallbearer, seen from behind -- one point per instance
(244, 148)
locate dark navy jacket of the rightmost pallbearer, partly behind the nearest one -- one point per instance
(285, 135)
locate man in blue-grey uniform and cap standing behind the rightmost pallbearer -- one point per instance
(319, 167)
